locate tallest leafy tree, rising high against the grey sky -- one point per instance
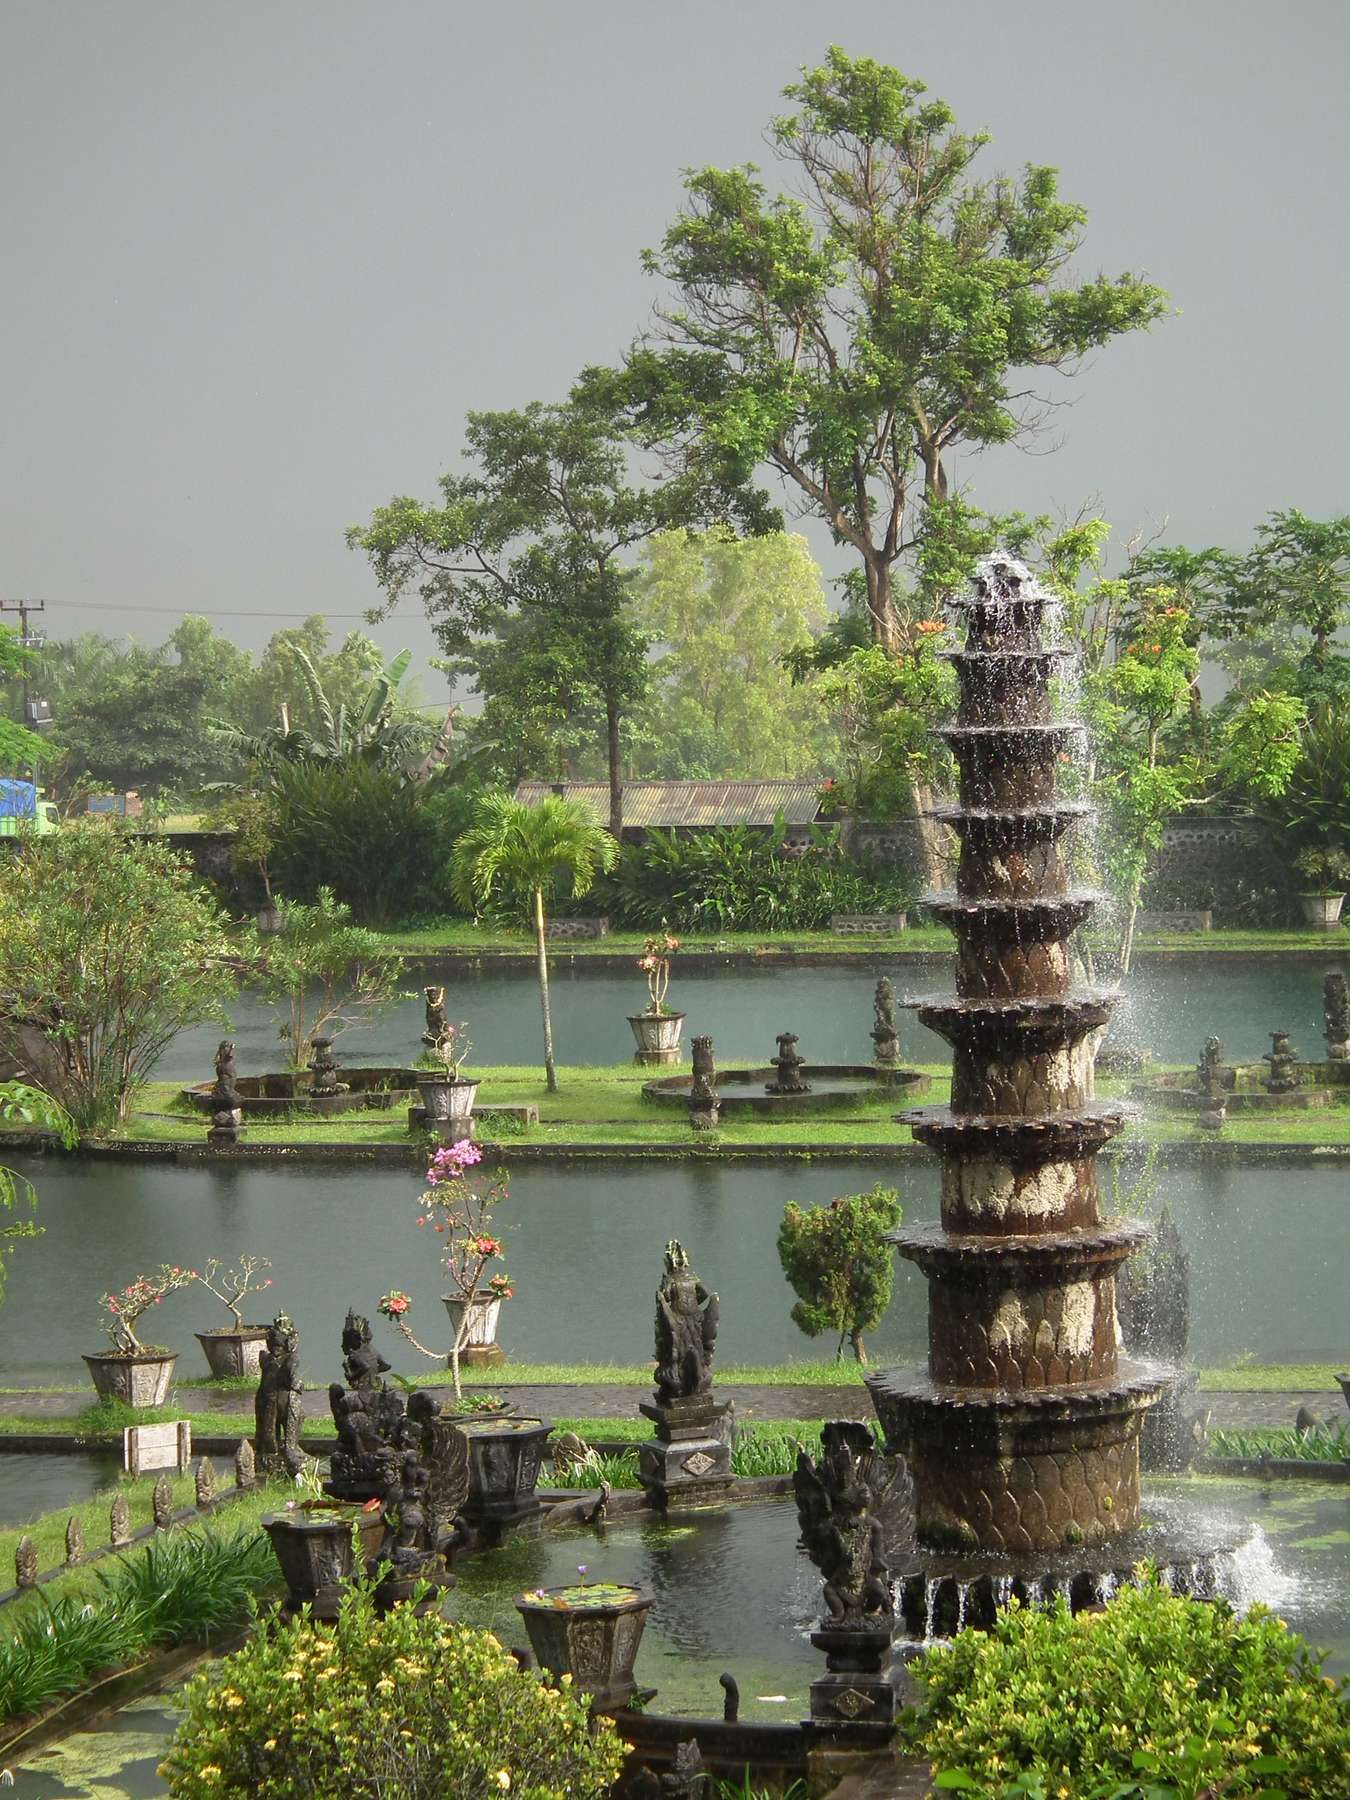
(850, 339)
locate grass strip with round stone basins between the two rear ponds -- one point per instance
(606, 1106)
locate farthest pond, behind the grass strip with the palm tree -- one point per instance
(1167, 1007)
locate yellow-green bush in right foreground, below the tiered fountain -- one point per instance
(1153, 1696)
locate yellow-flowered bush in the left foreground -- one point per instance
(384, 1709)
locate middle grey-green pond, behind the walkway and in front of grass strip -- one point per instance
(584, 1248)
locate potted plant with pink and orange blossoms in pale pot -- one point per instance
(458, 1207)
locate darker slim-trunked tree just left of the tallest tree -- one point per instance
(534, 546)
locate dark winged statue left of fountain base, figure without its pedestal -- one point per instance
(840, 1529)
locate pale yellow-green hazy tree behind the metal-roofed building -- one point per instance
(724, 613)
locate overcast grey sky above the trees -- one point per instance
(262, 256)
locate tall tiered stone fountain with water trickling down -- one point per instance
(1023, 1434)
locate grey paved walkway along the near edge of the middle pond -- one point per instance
(602, 1401)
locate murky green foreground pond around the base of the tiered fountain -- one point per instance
(735, 1594)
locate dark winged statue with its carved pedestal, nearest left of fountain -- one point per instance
(843, 1536)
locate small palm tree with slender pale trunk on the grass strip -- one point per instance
(532, 850)
